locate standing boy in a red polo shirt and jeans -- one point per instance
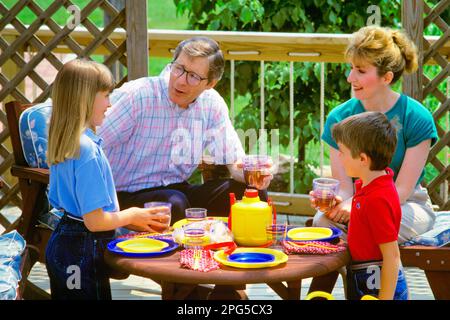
(367, 143)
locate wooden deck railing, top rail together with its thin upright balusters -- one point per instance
(254, 46)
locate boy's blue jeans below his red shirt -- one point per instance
(362, 280)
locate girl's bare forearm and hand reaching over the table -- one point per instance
(141, 218)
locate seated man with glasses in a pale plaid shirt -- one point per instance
(158, 128)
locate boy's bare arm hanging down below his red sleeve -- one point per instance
(389, 270)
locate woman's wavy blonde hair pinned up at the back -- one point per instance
(387, 49)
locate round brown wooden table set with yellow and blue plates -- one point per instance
(229, 283)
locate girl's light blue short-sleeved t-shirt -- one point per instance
(82, 185)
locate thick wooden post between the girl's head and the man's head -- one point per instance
(137, 39)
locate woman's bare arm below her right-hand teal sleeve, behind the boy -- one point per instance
(411, 169)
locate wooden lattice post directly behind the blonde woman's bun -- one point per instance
(412, 21)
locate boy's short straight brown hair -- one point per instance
(370, 133)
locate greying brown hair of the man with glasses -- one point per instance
(204, 47)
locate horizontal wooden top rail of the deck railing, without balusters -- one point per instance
(253, 46)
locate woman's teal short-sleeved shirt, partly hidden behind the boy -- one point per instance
(415, 124)
